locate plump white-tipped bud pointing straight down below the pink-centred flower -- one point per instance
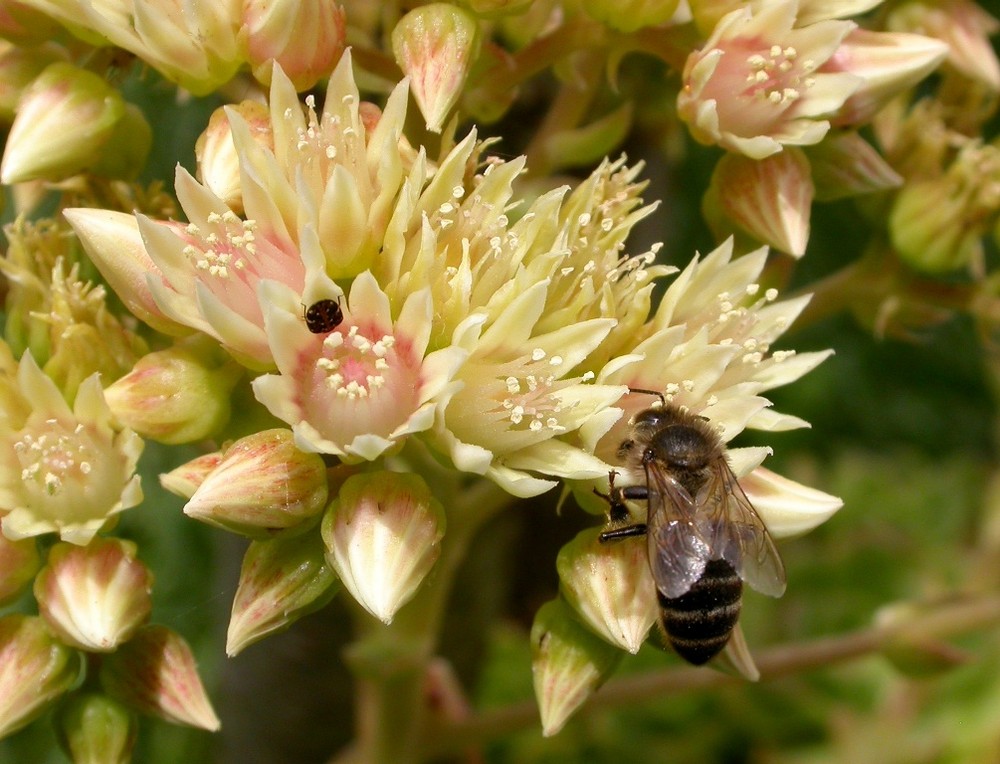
(383, 535)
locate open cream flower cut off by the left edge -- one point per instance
(62, 470)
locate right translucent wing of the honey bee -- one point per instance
(736, 534)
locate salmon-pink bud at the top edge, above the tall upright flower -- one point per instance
(305, 39)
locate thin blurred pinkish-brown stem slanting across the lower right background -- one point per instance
(945, 621)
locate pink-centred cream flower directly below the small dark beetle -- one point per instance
(362, 388)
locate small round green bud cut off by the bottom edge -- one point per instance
(95, 729)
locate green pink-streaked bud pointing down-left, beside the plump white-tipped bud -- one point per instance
(281, 580)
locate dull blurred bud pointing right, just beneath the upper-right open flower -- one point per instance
(846, 165)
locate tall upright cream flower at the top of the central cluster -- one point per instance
(333, 175)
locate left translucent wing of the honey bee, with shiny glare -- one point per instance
(677, 549)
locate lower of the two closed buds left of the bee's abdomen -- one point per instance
(568, 662)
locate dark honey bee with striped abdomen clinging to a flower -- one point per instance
(704, 537)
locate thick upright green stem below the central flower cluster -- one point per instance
(390, 661)
